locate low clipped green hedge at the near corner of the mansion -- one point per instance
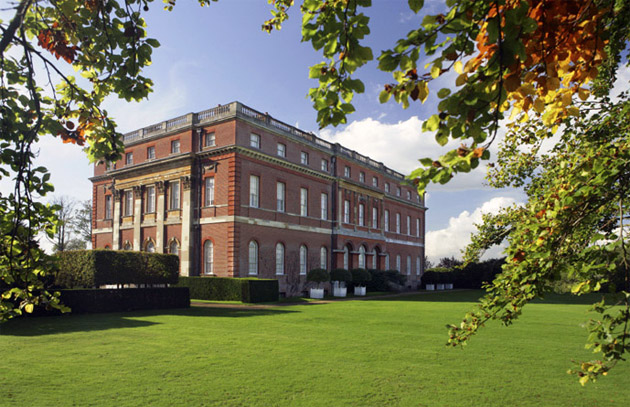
(231, 289)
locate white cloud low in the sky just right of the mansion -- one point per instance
(451, 240)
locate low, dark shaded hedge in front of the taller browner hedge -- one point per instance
(88, 301)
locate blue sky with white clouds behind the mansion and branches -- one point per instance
(219, 54)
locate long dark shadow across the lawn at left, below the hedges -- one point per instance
(52, 325)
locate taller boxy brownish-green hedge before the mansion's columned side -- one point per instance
(94, 268)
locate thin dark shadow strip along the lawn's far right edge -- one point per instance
(475, 295)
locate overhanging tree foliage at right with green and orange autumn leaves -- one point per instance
(543, 68)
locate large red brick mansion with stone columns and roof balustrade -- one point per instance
(235, 193)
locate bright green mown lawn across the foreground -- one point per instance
(382, 352)
